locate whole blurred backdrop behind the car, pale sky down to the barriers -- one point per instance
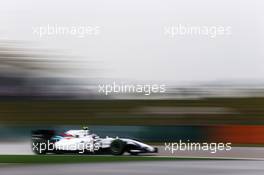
(214, 86)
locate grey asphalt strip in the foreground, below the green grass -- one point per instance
(198, 167)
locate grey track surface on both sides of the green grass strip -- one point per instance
(183, 167)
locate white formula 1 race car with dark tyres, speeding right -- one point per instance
(83, 142)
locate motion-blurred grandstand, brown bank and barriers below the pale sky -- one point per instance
(49, 90)
